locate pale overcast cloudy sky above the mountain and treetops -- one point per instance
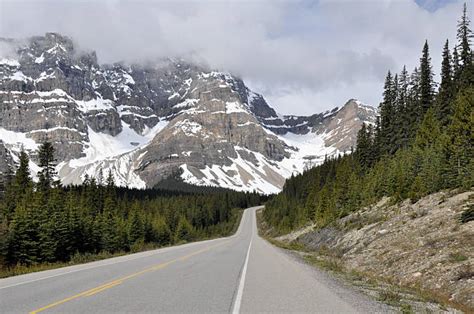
(303, 56)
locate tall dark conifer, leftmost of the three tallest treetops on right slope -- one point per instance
(426, 83)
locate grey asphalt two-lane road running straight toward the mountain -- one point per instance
(241, 273)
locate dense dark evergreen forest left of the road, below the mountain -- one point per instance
(44, 222)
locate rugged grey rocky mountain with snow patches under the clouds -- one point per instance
(147, 122)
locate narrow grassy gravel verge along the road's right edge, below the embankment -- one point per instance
(402, 299)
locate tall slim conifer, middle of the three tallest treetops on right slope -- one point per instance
(446, 89)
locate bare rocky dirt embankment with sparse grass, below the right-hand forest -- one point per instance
(422, 245)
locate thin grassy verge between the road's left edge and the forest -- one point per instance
(87, 258)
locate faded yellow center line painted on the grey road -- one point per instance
(116, 282)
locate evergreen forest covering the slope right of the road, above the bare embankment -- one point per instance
(422, 143)
